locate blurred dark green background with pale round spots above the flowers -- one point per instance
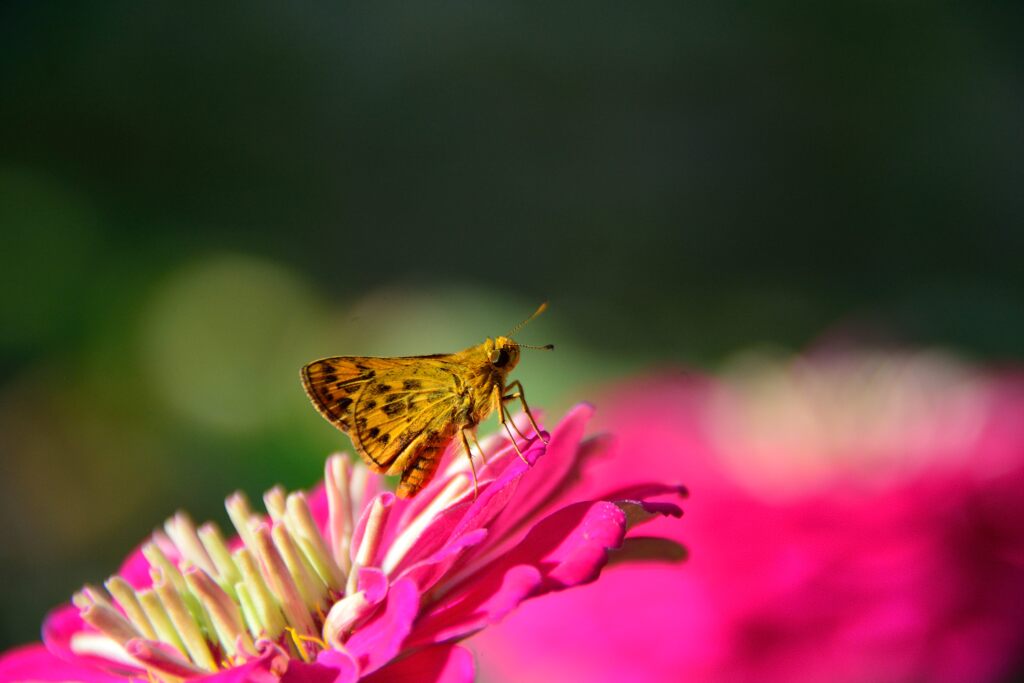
(195, 201)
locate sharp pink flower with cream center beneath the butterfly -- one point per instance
(349, 583)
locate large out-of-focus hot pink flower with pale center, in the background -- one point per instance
(857, 518)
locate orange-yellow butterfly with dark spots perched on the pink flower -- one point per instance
(403, 413)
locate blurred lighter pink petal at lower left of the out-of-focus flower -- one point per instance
(631, 625)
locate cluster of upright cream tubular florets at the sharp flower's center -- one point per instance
(212, 604)
